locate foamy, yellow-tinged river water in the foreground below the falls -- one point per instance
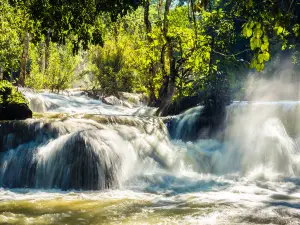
(195, 200)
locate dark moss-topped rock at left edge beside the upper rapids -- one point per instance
(13, 104)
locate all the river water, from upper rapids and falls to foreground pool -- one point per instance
(92, 169)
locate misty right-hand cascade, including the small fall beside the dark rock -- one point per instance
(260, 140)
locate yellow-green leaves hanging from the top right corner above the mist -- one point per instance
(267, 21)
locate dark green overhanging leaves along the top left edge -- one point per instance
(76, 18)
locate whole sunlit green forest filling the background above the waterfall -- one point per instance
(177, 52)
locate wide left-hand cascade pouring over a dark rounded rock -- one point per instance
(82, 154)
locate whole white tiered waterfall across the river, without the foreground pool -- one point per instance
(95, 152)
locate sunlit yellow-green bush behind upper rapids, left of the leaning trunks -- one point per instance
(116, 66)
